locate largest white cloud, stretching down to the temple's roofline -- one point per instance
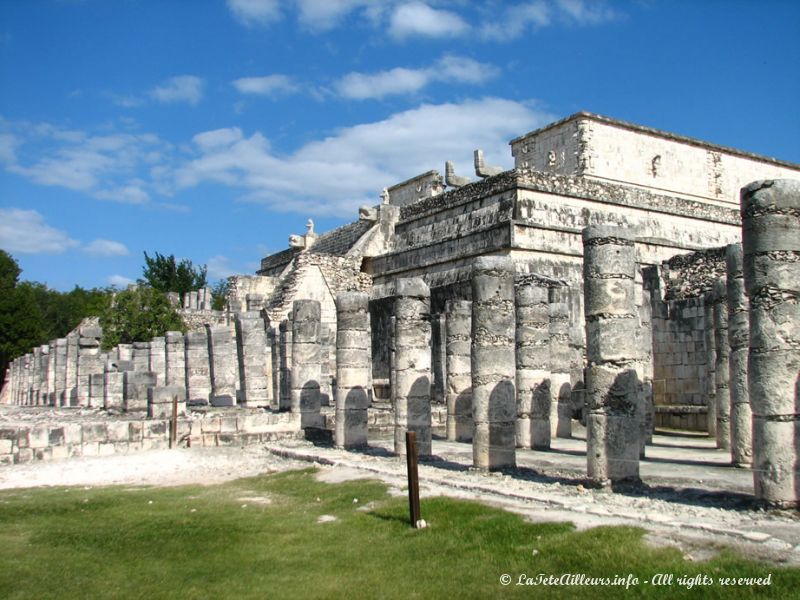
(337, 174)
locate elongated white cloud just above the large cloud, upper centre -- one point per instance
(408, 81)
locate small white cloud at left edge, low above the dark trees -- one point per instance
(25, 231)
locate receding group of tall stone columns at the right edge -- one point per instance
(753, 343)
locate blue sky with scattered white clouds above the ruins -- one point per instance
(213, 129)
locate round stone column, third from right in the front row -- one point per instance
(494, 397)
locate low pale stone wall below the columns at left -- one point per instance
(56, 434)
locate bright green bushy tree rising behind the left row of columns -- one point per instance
(138, 314)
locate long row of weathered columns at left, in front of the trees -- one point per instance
(72, 371)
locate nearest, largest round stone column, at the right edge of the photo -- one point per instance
(771, 240)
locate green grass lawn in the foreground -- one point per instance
(260, 538)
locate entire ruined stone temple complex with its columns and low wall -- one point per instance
(618, 276)
